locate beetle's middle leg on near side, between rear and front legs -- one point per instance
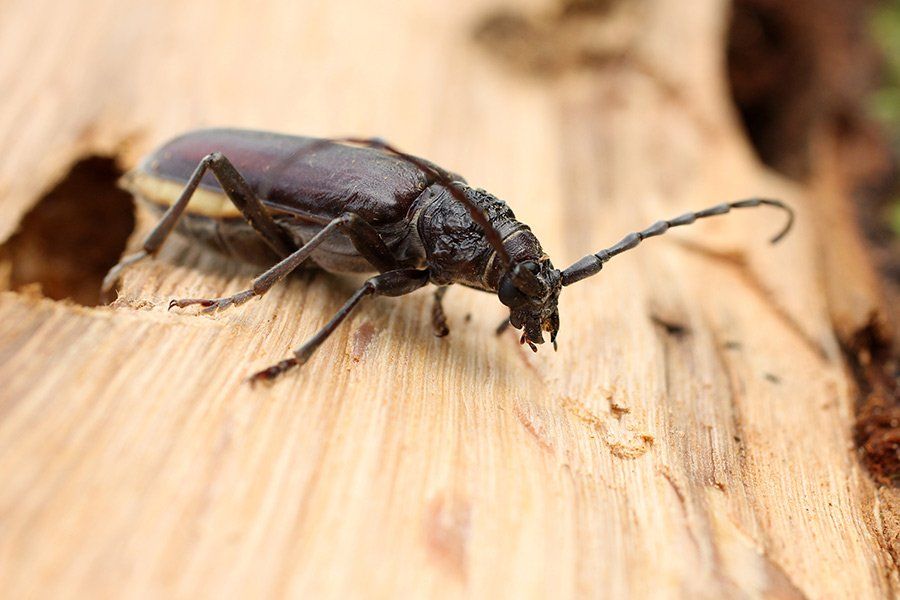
(363, 236)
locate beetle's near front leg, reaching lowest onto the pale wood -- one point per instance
(392, 283)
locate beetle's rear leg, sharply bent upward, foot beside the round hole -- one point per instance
(238, 191)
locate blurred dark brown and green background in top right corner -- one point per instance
(797, 65)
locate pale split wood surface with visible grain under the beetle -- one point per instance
(712, 458)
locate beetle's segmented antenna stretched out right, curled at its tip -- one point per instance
(592, 263)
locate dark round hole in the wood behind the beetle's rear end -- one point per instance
(72, 237)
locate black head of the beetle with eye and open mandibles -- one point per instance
(530, 289)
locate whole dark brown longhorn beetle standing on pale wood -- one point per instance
(355, 206)
